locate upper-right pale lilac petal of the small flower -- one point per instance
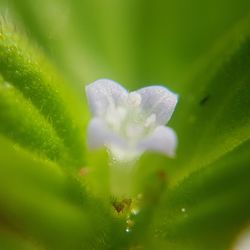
(160, 101)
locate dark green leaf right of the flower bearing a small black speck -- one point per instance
(215, 117)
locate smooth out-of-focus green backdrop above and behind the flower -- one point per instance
(135, 42)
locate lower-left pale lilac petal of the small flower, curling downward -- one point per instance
(99, 135)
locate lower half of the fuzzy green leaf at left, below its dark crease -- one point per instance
(21, 121)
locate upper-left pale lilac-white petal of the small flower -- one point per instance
(105, 94)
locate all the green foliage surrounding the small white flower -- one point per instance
(55, 194)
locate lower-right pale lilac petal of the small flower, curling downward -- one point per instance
(163, 140)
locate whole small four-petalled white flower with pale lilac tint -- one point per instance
(129, 123)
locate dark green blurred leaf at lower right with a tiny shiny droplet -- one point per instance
(216, 205)
